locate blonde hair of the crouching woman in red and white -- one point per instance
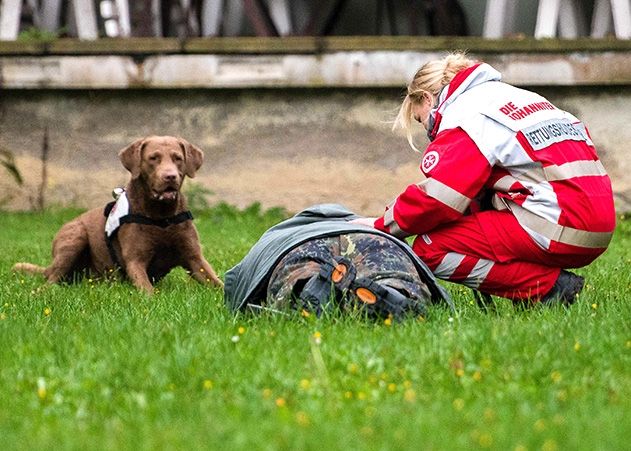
(429, 79)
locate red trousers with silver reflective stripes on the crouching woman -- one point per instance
(490, 251)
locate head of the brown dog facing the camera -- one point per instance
(162, 162)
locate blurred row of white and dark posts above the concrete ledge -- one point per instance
(93, 19)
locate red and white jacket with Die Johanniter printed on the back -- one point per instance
(536, 160)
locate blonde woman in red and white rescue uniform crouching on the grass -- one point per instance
(515, 192)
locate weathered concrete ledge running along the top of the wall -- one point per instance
(375, 62)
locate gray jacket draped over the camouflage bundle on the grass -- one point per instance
(247, 281)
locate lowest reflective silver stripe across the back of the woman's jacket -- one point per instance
(559, 233)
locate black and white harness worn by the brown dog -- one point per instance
(119, 212)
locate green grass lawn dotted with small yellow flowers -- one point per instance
(98, 365)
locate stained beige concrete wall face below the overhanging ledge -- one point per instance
(282, 147)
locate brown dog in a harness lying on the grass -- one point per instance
(155, 236)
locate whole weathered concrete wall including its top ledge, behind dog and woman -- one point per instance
(277, 146)
